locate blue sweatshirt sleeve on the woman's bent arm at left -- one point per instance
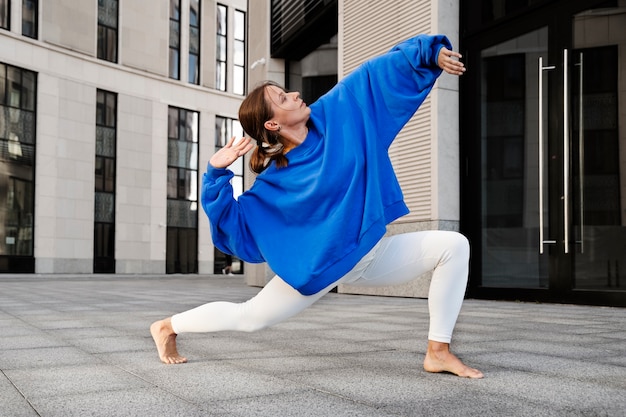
(228, 226)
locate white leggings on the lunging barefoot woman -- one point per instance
(394, 260)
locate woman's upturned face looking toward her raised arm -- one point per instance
(288, 108)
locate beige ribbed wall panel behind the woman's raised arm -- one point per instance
(369, 29)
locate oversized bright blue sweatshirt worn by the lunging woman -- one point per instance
(313, 220)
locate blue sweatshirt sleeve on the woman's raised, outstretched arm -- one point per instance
(390, 88)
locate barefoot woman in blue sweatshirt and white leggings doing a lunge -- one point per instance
(325, 192)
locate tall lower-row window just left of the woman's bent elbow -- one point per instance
(182, 191)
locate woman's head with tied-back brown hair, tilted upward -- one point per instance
(262, 114)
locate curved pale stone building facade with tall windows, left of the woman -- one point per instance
(109, 110)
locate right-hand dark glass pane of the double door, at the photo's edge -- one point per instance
(597, 138)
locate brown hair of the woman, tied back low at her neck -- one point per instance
(253, 113)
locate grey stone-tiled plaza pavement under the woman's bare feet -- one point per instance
(80, 346)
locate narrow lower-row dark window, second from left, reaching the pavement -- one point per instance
(104, 206)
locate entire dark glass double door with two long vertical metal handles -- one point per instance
(548, 161)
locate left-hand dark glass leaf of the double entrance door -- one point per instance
(511, 174)
